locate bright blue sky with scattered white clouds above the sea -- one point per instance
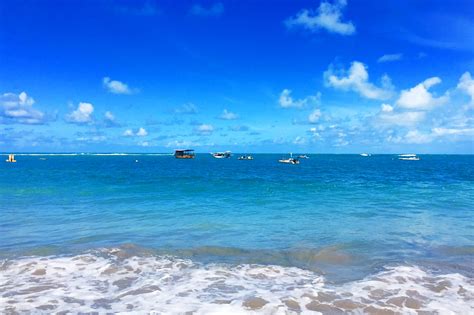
(248, 76)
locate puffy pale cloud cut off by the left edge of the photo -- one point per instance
(19, 109)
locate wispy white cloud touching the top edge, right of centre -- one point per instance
(328, 17)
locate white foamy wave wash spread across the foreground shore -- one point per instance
(107, 281)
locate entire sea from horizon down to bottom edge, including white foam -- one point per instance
(334, 234)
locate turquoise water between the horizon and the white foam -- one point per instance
(346, 217)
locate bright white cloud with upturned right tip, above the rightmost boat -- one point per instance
(419, 97)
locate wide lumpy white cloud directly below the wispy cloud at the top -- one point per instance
(357, 80)
